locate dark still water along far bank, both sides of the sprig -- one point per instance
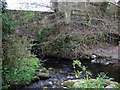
(66, 65)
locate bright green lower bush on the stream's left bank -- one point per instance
(22, 73)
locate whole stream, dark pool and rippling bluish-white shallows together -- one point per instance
(63, 71)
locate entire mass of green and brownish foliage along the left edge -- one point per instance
(19, 65)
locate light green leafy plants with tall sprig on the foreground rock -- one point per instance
(99, 82)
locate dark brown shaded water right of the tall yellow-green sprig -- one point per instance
(112, 71)
